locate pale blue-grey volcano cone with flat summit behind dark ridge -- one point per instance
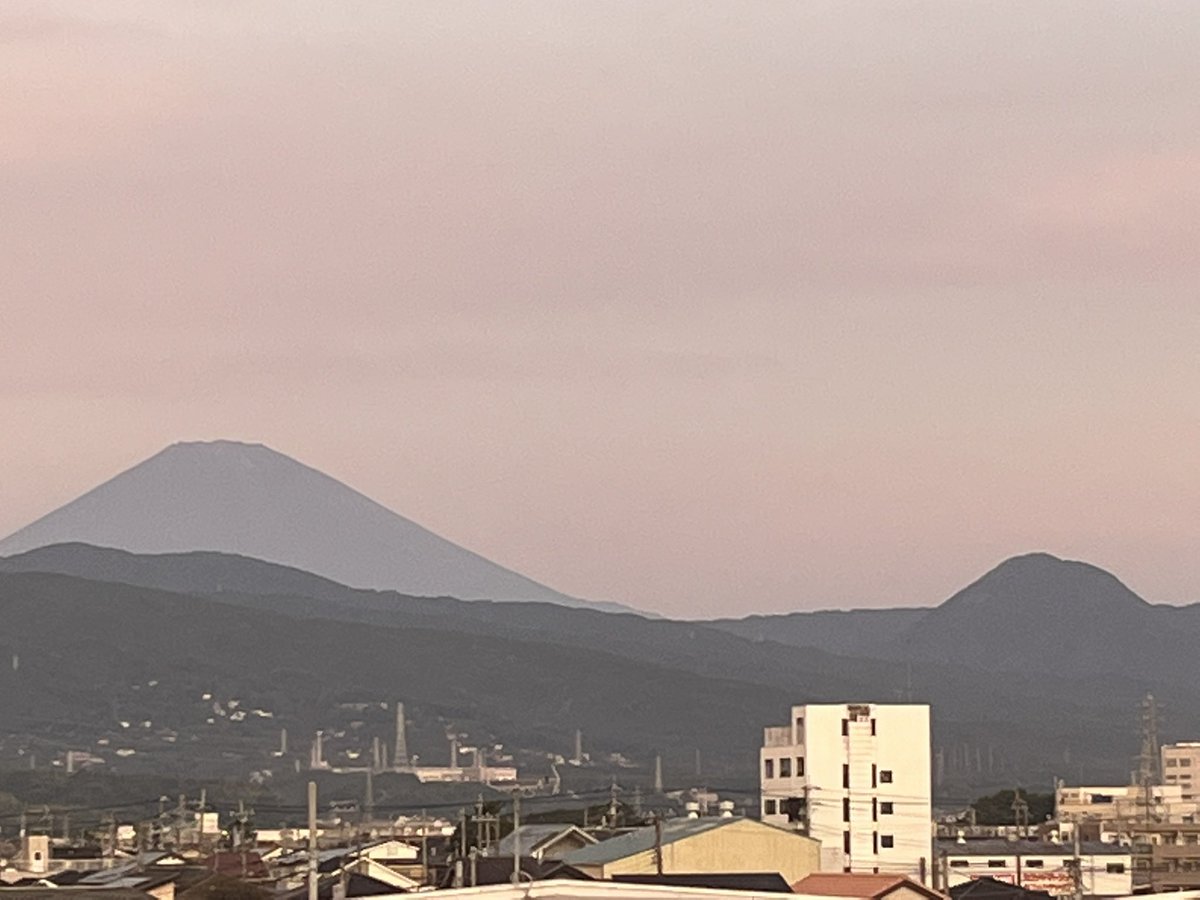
(251, 501)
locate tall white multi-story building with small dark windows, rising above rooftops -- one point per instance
(857, 778)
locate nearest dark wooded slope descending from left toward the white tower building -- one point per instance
(89, 652)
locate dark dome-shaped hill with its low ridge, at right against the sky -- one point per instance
(1033, 614)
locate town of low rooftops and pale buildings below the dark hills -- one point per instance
(845, 809)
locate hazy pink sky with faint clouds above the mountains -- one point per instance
(704, 308)
